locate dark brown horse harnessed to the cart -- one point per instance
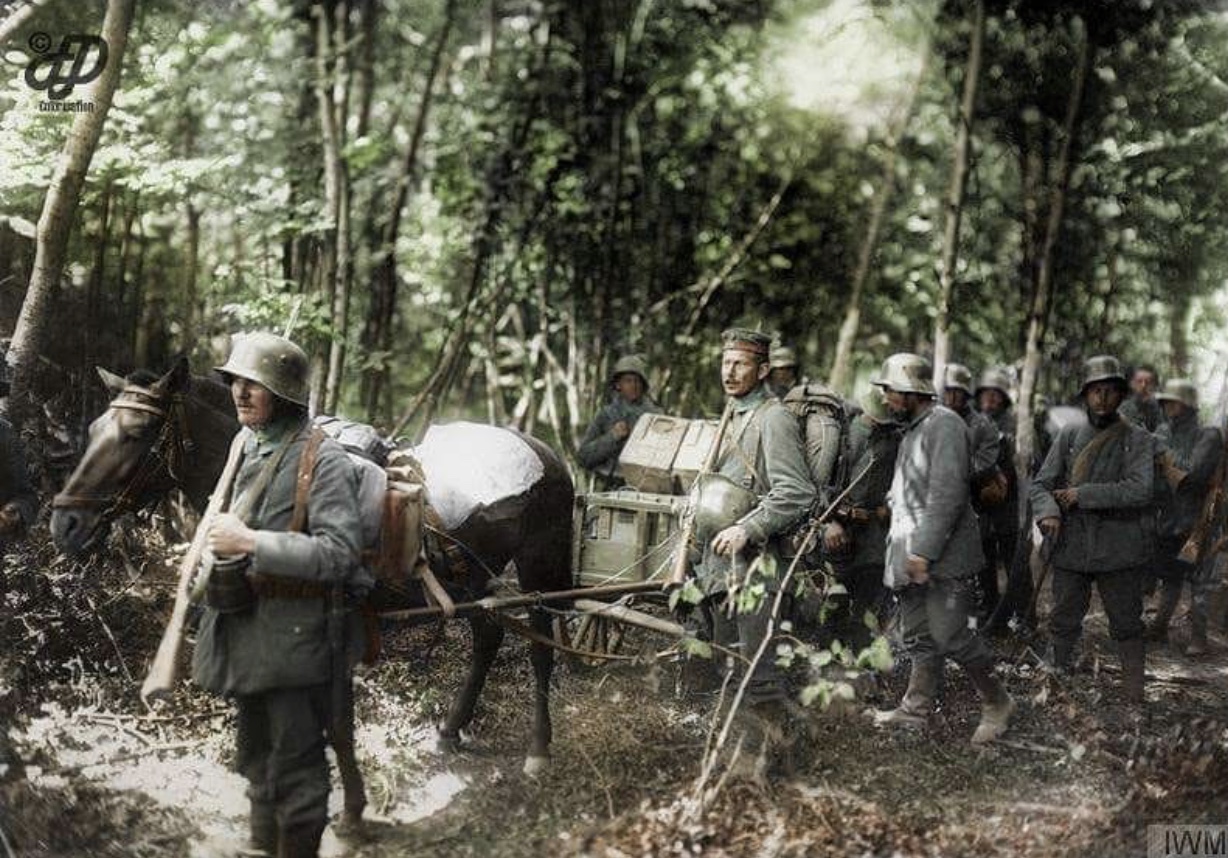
(175, 431)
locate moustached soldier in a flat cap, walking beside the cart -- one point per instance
(760, 492)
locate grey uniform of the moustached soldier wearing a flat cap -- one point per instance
(762, 454)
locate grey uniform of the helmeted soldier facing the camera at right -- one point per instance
(1107, 536)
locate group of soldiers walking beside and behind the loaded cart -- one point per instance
(930, 506)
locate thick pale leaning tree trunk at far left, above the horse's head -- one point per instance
(56, 223)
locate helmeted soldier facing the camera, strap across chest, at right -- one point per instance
(1091, 498)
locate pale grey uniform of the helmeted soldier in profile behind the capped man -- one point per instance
(933, 519)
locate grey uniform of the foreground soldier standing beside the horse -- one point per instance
(274, 657)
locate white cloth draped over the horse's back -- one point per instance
(471, 466)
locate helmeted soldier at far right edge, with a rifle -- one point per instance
(1197, 451)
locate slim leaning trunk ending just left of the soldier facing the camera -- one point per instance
(1042, 293)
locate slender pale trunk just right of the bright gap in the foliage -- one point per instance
(956, 196)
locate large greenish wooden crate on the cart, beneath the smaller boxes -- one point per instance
(622, 537)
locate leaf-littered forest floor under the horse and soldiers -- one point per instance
(1076, 776)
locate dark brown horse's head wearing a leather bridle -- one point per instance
(139, 449)
